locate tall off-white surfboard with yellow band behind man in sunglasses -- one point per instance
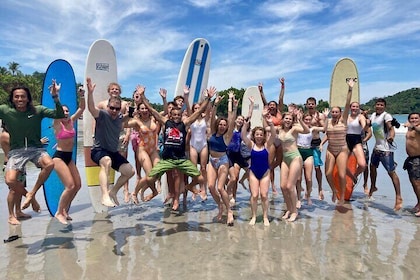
(101, 67)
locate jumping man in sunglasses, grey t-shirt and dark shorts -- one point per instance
(109, 123)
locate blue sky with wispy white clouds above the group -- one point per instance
(251, 41)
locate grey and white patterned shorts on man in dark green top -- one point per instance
(18, 158)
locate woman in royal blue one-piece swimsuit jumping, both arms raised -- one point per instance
(259, 175)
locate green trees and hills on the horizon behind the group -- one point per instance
(403, 102)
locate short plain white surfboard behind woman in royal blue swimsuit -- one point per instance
(256, 118)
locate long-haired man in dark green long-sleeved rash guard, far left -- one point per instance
(23, 121)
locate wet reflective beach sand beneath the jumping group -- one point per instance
(365, 239)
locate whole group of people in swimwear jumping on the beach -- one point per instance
(181, 137)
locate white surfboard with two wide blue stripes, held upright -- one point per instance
(194, 70)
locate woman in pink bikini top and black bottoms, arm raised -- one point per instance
(63, 163)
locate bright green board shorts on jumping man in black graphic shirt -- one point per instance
(183, 165)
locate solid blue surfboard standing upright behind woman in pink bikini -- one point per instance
(61, 71)
